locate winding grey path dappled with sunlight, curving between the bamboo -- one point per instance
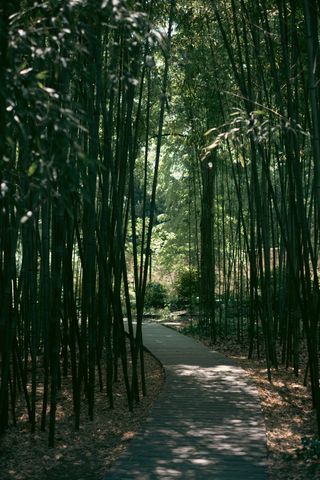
(207, 423)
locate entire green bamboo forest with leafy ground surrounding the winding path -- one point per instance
(159, 162)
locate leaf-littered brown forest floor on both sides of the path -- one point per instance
(87, 454)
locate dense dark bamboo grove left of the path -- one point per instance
(77, 80)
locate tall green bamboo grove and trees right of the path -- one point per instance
(251, 97)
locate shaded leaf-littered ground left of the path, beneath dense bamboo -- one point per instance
(83, 455)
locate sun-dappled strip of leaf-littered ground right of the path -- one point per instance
(286, 407)
